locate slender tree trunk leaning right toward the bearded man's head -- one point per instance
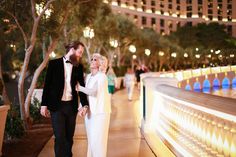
(35, 78)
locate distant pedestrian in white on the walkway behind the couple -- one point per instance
(129, 81)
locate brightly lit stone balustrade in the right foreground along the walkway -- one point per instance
(189, 123)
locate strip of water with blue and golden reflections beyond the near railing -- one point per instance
(225, 91)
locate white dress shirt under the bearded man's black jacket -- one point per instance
(67, 92)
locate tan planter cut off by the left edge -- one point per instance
(3, 116)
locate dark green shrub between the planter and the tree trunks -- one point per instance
(14, 124)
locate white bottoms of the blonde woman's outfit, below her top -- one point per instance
(97, 127)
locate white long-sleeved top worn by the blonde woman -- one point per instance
(96, 88)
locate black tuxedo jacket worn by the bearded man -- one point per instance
(54, 85)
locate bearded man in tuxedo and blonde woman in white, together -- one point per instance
(63, 83)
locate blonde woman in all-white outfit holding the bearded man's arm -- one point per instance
(98, 117)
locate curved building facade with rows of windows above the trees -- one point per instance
(165, 16)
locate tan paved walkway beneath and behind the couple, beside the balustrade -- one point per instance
(125, 138)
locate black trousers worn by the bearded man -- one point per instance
(63, 123)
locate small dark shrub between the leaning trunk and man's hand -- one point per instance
(35, 110)
